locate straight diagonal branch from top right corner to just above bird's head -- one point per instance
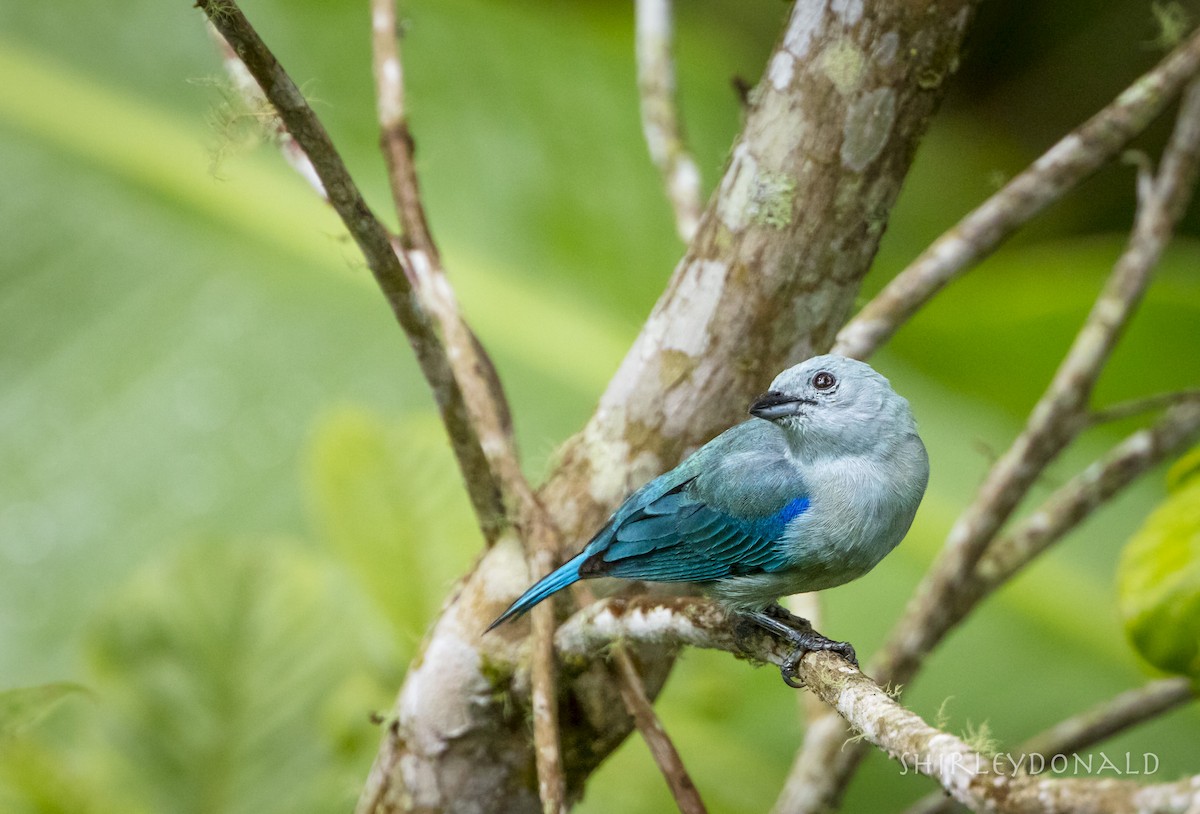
(1061, 170)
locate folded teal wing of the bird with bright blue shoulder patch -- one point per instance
(688, 534)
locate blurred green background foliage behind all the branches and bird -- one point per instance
(226, 507)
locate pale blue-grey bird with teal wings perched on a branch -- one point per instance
(813, 492)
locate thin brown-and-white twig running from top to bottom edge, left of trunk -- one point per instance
(485, 396)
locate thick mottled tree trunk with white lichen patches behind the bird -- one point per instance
(769, 279)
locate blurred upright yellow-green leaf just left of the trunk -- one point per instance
(392, 505)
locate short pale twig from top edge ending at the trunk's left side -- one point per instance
(661, 118)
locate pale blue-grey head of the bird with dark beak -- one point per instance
(838, 402)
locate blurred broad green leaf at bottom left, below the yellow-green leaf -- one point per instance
(236, 678)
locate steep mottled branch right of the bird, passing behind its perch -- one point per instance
(824, 769)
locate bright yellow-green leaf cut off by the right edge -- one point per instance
(1160, 578)
